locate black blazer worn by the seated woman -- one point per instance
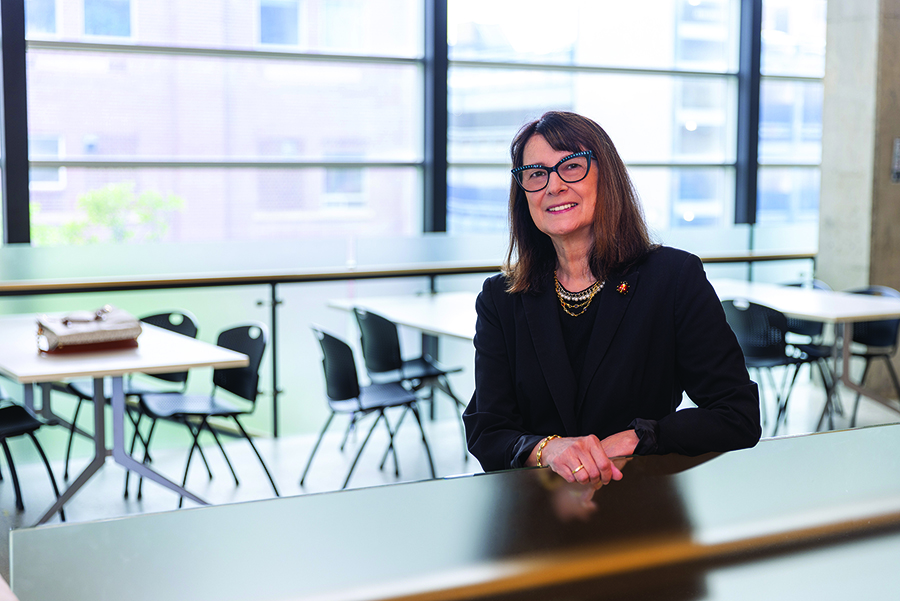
(657, 335)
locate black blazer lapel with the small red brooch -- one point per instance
(617, 294)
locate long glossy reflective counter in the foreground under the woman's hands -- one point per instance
(770, 522)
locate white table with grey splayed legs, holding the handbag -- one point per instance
(158, 351)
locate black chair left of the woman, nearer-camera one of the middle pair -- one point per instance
(346, 396)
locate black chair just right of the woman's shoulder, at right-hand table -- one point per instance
(760, 331)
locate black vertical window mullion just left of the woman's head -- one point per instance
(436, 61)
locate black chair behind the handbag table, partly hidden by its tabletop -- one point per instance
(181, 322)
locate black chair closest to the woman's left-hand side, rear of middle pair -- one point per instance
(380, 343)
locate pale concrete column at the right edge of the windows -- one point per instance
(859, 226)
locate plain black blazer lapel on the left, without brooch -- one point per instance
(546, 334)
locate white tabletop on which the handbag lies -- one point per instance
(158, 351)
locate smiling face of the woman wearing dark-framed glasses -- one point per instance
(563, 211)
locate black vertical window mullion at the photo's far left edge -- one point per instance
(16, 219)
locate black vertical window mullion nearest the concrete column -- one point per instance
(748, 112)
